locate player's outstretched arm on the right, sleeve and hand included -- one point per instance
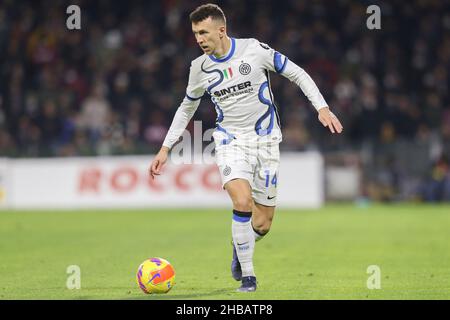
(277, 62)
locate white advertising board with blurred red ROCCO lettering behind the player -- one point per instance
(104, 182)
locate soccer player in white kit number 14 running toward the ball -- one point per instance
(235, 73)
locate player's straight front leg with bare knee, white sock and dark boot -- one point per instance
(240, 193)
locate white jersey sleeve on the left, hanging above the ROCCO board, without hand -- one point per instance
(186, 110)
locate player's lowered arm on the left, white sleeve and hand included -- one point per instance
(185, 111)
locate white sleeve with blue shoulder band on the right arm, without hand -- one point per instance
(274, 61)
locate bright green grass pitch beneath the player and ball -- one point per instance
(309, 254)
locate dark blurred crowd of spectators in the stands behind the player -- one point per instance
(113, 86)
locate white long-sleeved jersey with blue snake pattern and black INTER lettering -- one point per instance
(239, 87)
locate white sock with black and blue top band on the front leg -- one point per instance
(244, 240)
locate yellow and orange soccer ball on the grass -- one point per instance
(155, 275)
